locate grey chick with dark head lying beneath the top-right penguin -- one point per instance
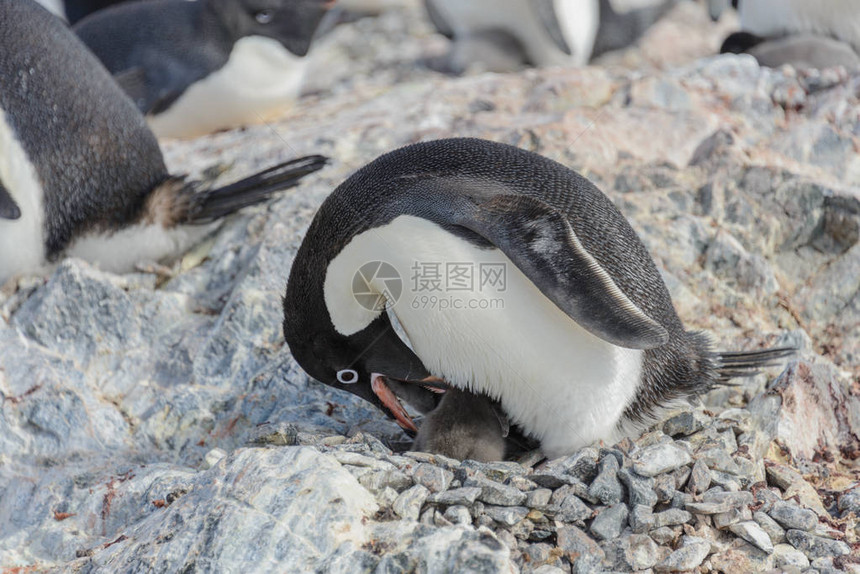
(799, 51)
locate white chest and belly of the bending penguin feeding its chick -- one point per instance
(477, 321)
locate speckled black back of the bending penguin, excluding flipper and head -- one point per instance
(418, 179)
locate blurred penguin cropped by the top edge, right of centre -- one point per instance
(507, 35)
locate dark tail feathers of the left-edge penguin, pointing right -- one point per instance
(207, 206)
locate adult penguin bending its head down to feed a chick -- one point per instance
(587, 345)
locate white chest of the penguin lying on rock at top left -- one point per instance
(260, 78)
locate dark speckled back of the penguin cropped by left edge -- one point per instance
(92, 150)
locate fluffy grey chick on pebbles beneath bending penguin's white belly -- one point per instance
(464, 426)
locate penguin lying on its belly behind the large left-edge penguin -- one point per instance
(198, 67)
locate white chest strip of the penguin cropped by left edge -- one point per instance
(22, 240)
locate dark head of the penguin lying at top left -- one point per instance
(291, 22)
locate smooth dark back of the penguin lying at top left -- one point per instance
(171, 43)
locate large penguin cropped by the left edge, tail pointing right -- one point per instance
(80, 172)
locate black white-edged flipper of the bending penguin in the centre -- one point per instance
(540, 241)
